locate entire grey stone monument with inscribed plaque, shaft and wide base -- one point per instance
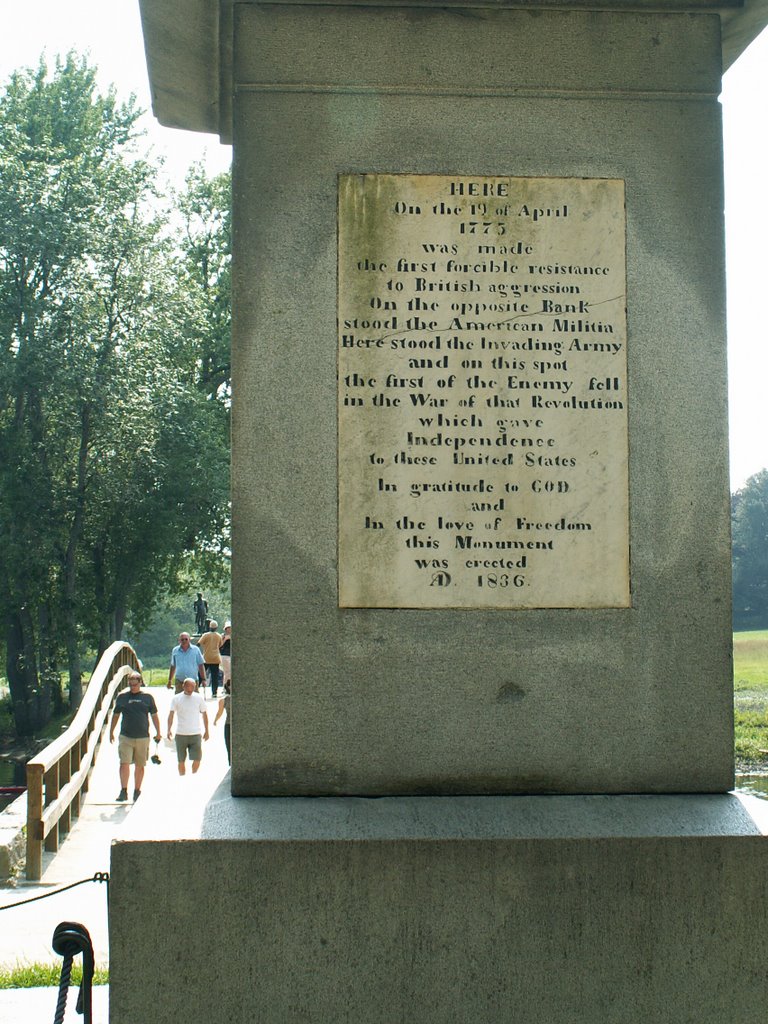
(481, 526)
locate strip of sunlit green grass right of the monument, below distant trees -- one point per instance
(751, 700)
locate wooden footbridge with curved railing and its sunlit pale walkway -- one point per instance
(74, 817)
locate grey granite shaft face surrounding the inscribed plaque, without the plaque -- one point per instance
(371, 702)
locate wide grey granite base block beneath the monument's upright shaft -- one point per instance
(542, 910)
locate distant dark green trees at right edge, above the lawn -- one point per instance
(750, 533)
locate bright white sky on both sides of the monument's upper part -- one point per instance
(110, 31)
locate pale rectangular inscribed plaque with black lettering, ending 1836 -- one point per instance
(483, 393)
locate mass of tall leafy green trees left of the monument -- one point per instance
(104, 484)
